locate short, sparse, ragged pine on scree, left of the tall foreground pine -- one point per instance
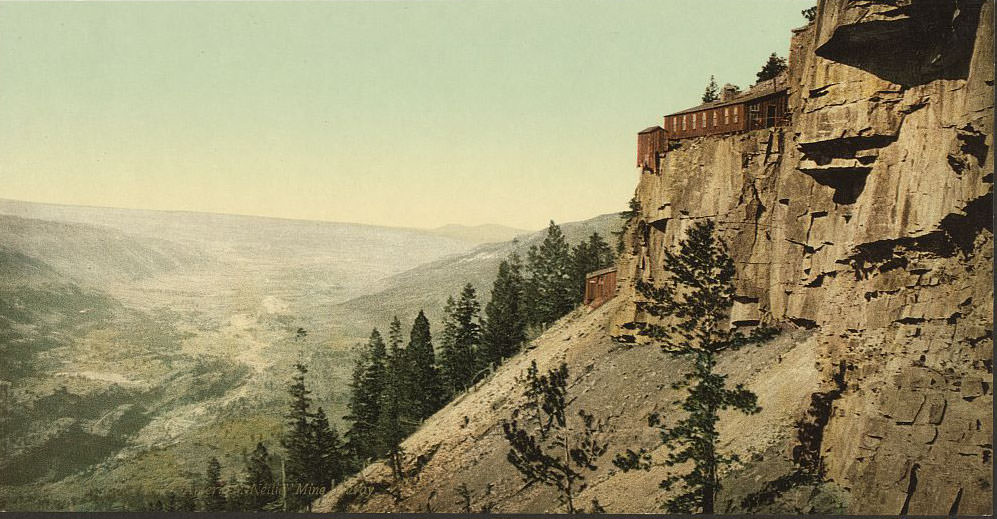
(547, 448)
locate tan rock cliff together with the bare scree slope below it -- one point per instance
(862, 229)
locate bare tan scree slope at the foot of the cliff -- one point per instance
(463, 443)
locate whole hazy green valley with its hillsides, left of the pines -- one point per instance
(136, 345)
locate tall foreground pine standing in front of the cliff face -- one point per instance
(694, 304)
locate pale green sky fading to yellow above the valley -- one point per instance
(412, 113)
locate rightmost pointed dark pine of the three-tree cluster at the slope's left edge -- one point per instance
(424, 376)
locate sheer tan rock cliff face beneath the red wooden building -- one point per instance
(867, 220)
